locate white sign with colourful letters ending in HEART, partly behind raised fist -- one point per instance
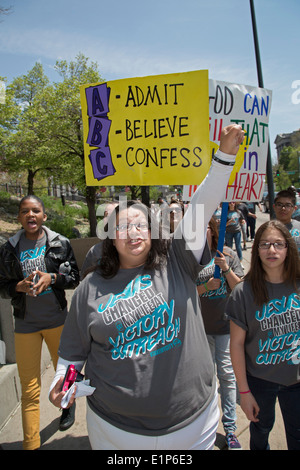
(250, 107)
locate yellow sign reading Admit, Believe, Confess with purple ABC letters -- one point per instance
(147, 131)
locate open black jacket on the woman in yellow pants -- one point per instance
(58, 250)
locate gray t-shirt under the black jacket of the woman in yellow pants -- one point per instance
(42, 312)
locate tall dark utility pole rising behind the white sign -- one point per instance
(261, 85)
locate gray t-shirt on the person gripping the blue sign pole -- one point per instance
(213, 302)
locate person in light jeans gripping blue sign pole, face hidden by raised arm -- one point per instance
(214, 293)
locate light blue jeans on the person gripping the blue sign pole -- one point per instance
(219, 346)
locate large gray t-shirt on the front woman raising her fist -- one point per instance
(143, 338)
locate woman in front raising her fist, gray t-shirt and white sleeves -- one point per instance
(135, 322)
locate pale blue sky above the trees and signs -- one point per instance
(135, 38)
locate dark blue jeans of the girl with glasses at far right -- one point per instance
(266, 393)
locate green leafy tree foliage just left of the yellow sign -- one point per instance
(40, 123)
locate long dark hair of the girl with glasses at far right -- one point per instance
(256, 274)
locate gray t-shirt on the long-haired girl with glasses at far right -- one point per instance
(272, 346)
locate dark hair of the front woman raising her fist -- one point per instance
(109, 263)
